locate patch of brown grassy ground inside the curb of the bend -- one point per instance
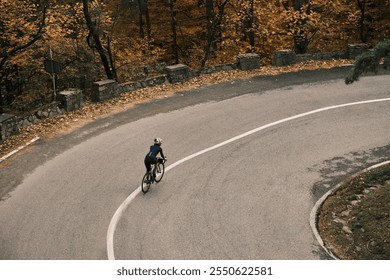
(354, 221)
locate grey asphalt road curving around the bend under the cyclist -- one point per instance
(249, 199)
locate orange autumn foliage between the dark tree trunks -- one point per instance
(323, 25)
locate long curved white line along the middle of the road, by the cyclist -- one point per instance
(115, 219)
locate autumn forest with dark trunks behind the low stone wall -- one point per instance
(128, 40)
